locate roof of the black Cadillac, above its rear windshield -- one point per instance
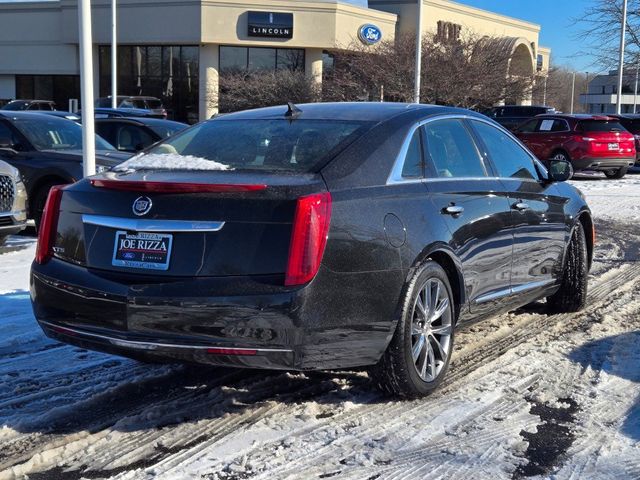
(354, 111)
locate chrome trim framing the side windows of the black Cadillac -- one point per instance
(395, 176)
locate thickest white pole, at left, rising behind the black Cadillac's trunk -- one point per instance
(86, 88)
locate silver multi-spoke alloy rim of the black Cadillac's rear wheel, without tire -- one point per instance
(431, 329)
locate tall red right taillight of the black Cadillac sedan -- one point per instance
(308, 238)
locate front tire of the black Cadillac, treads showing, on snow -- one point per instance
(572, 295)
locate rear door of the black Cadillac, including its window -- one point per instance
(475, 209)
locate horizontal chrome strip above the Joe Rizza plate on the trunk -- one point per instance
(144, 225)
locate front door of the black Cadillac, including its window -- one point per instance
(537, 211)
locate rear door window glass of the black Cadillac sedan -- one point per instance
(452, 150)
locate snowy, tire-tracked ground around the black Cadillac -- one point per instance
(528, 396)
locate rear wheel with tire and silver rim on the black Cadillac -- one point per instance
(418, 356)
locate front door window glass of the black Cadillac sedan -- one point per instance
(509, 158)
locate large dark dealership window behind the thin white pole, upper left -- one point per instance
(169, 73)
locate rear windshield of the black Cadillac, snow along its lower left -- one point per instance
(276, 144)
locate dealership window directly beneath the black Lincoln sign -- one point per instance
(260, 58)
